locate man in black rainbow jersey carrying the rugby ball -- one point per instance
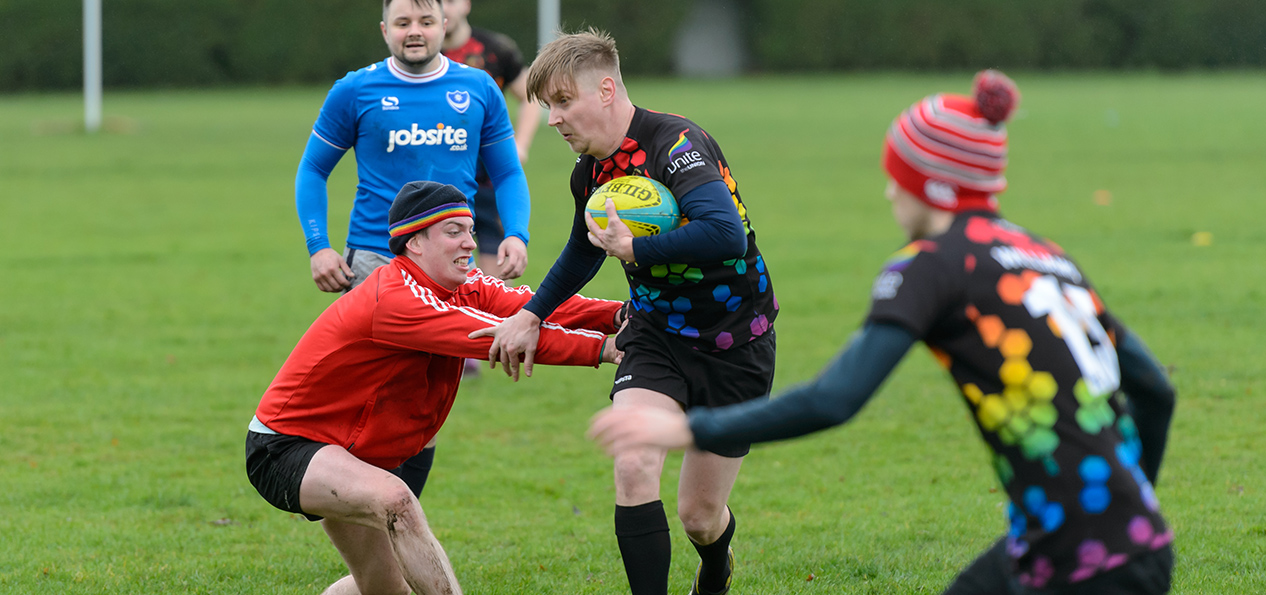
(701, 329)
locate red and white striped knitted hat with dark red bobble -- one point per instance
(950, 151)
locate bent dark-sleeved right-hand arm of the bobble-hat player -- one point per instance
(1151, 399)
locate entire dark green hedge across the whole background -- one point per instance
(211, 42)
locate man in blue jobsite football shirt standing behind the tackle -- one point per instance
(416, 116)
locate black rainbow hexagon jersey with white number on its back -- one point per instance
(1032, 349)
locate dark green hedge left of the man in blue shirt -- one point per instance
(189, 44)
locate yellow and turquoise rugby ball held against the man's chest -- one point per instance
(644, 204)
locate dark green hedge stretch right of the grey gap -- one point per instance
(851, 35)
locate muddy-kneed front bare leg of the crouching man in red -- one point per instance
(350, 492)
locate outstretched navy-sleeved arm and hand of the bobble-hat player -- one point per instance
(830, 401)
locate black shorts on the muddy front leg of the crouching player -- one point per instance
(277, 464)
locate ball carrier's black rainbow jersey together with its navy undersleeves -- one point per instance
(678, 285)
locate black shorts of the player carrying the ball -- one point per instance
(658, 361)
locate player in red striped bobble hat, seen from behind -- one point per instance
(1074, 408)
